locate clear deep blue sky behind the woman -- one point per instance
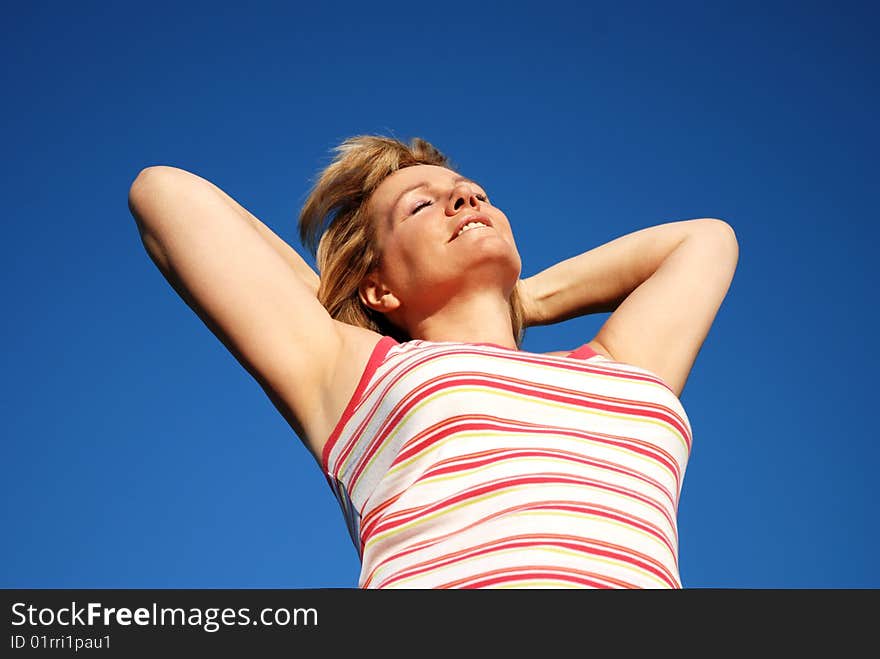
(138, 453)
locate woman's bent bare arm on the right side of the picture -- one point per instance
(664, 285)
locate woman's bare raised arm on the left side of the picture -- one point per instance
(244, 291)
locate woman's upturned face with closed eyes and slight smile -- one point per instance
(427, 256)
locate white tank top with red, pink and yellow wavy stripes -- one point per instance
(471, 465)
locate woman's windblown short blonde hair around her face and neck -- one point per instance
(335, 225)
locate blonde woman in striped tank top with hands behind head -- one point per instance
(459, 461)
